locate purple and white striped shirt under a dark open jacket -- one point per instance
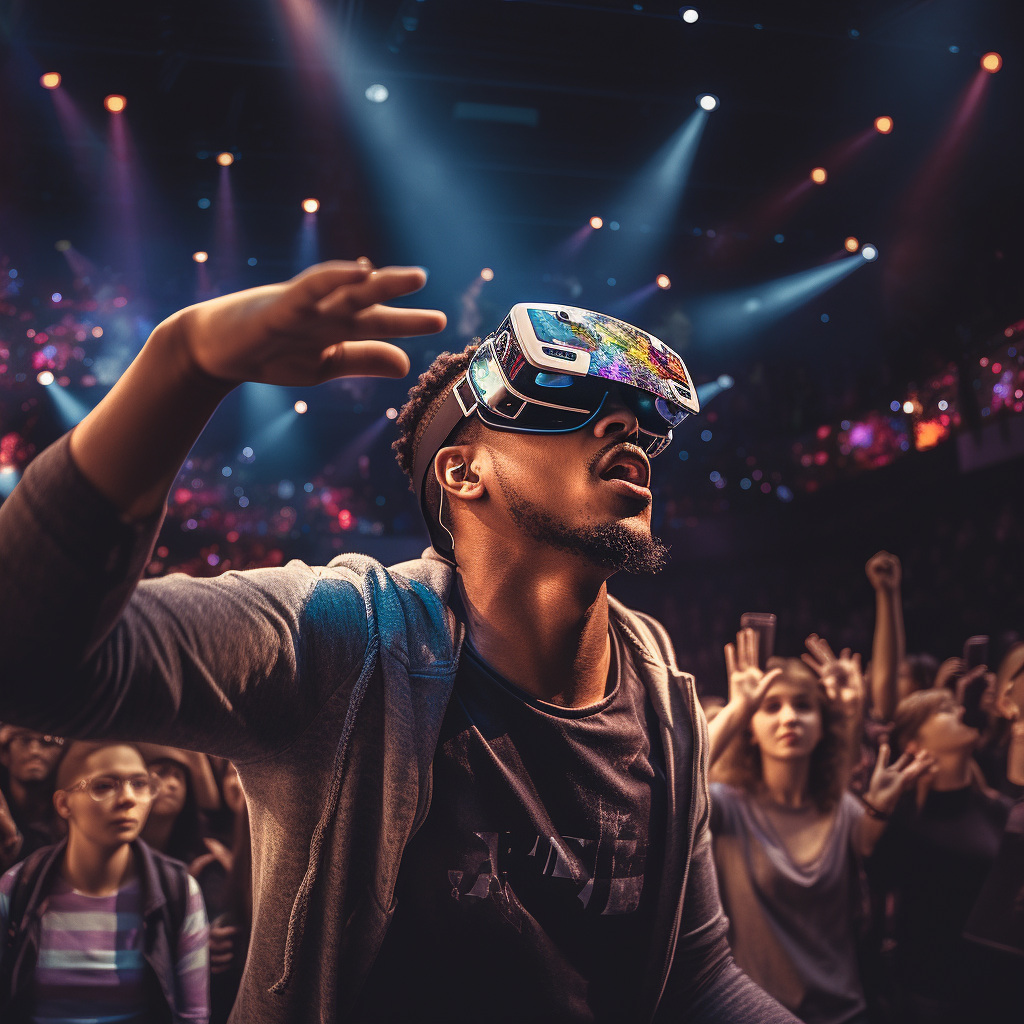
(91, 968)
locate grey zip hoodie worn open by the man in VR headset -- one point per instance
(327, 688)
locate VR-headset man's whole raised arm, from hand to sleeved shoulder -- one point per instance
(176, 659)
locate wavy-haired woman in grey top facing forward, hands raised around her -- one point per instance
(788, 836)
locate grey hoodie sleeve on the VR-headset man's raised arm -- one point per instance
(222, 665)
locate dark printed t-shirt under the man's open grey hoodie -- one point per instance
(531, 887)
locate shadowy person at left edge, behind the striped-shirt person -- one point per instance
(28, 821)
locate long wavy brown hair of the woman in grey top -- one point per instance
(741, 762)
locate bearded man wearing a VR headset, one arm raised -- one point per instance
(478, 784)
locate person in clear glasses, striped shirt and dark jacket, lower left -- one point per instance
(100, 927)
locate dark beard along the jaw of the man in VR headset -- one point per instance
(612, 546)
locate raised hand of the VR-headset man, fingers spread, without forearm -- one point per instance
(323, 324)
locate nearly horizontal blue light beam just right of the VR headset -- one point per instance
(736, 315)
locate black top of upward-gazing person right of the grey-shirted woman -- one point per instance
(936, 862)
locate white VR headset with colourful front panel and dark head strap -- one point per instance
(549, 370)
